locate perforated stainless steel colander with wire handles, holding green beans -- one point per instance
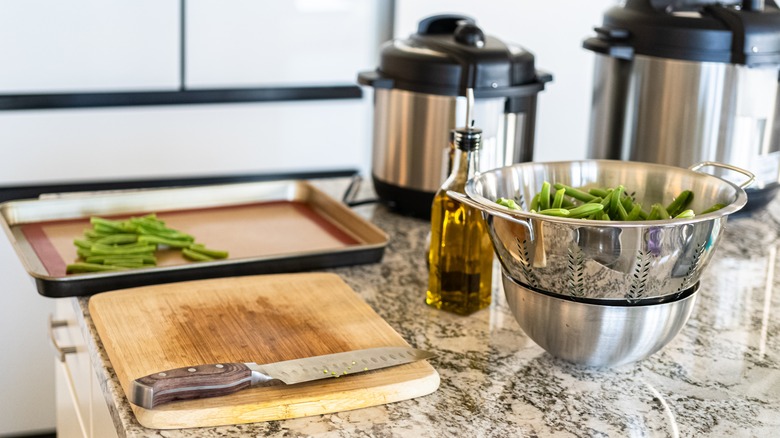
(605, 259)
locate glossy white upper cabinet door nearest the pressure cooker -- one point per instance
(245, 43)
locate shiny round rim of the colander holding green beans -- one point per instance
(489, 205)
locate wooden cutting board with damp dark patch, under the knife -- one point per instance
(263, 319)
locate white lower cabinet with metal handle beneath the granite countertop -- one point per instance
(81, 407)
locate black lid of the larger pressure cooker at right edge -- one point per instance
(737, 32)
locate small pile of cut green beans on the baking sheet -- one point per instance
(112, 245)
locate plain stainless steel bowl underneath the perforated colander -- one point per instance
(597, 335)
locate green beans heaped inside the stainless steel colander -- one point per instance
(604, 203)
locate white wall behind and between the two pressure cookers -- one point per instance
(553, 31)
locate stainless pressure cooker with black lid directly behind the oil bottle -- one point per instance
(420, 89)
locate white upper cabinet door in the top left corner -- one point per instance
(89, 45)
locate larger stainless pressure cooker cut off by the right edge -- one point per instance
(689, 81)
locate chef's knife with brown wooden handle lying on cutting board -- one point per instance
(226, 378)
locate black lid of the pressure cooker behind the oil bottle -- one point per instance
(450, 53)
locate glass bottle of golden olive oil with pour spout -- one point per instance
(461, 254)
